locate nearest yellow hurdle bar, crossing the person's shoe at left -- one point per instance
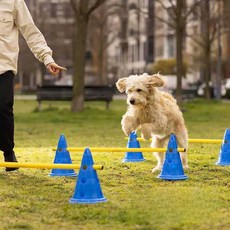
(45, 166)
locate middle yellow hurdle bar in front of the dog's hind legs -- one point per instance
(93, 149)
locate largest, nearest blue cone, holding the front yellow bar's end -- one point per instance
(88, 189)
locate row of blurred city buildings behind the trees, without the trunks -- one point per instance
(137, 35)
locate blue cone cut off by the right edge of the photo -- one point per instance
(224, 156)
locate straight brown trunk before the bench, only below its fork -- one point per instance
(79, 62)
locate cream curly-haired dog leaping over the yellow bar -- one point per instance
(153, 111)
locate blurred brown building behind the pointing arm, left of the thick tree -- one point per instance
(55, 20)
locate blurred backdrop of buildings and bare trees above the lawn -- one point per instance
(187, 40)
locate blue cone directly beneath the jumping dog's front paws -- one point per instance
(133, 156)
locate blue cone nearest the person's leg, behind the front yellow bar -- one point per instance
(62, 157)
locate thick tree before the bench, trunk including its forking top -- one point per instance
(82, 11)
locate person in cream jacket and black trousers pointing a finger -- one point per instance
(15, 17)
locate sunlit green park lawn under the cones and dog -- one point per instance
(30, 199)
